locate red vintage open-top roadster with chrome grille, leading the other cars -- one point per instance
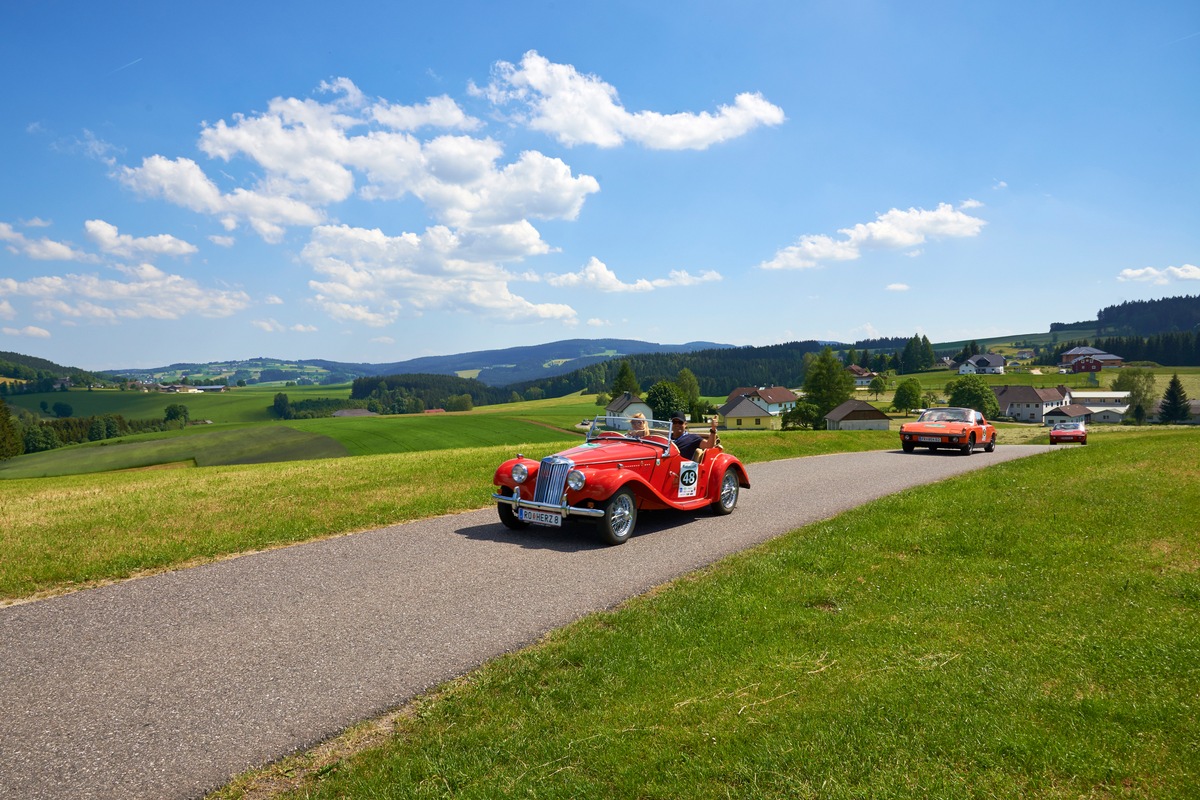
(619, 472)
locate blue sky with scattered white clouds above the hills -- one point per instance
(377, 182)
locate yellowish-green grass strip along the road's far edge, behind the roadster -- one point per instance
(76, 531)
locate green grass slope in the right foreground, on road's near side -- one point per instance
(1030, 630)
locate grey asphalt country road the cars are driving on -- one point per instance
(169, 687)
